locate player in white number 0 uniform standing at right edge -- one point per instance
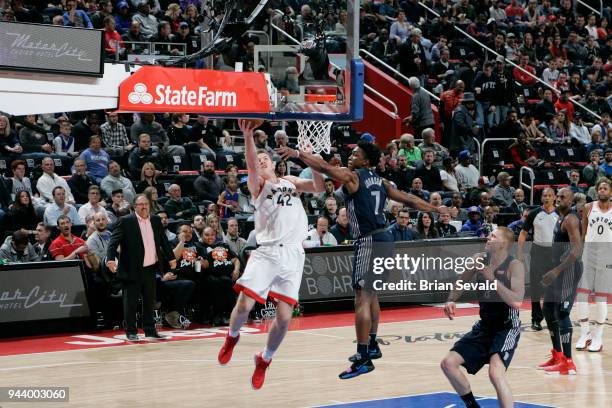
(597, 260)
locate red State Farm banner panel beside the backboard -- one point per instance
(181, 90)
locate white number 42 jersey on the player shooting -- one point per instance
(279, 215)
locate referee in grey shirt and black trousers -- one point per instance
(541, 221)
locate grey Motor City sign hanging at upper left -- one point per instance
(51, 49)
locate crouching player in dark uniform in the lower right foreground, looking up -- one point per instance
(494, 338)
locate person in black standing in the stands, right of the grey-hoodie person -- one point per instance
(464, 126)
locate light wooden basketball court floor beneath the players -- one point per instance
(303, 372)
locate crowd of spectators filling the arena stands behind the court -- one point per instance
(113, 157)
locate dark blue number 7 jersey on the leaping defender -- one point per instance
(365, 207)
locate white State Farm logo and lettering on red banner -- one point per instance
(165, 95)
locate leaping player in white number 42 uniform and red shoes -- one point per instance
(275, 268)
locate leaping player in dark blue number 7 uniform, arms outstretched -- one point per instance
(365, 195)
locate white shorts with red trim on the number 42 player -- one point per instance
(273, 271)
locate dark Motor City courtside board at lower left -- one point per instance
(42, 291)
